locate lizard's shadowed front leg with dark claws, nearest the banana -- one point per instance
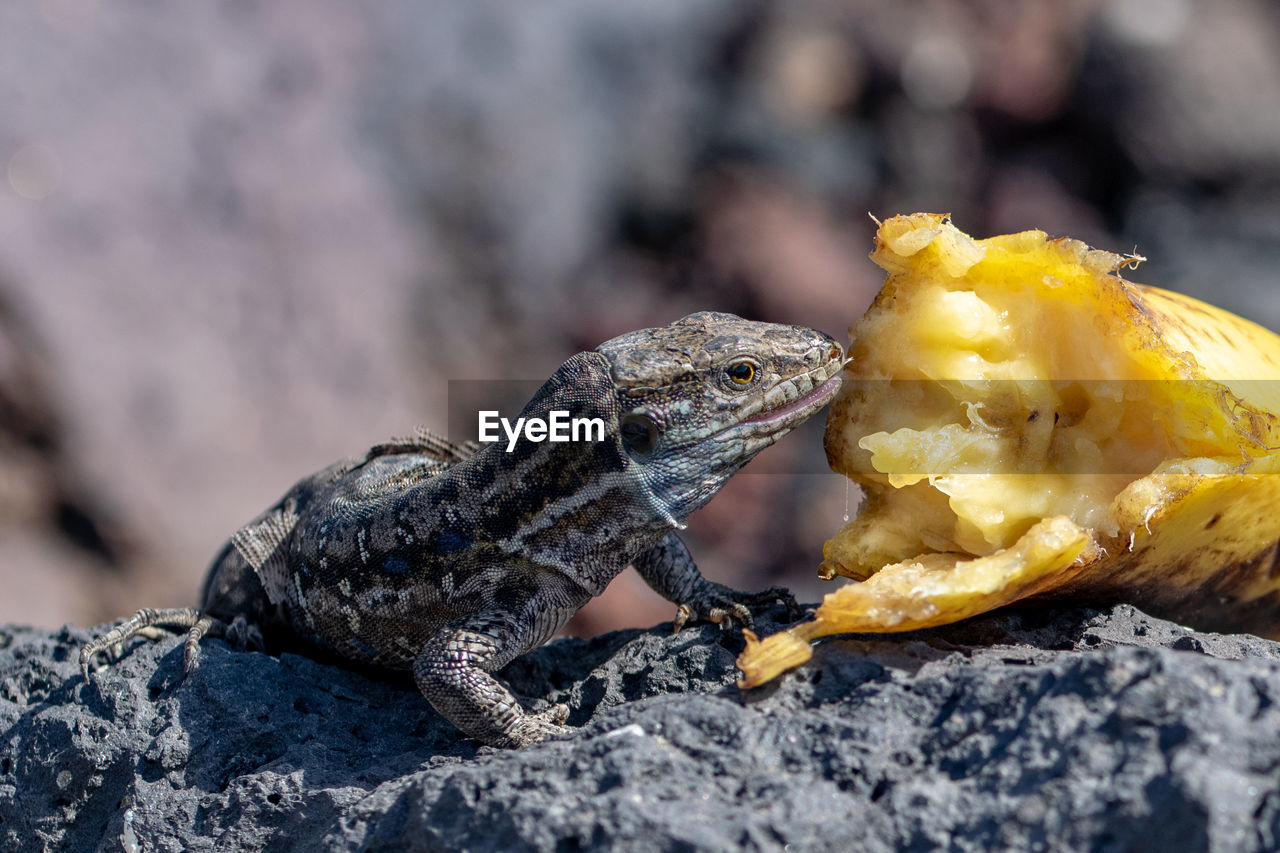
(670, 569)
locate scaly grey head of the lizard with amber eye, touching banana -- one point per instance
(705, 395)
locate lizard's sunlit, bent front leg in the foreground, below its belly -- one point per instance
(454, 673)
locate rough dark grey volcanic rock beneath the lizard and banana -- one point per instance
(1053, 729)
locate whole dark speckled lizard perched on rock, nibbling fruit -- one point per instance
(451, 560)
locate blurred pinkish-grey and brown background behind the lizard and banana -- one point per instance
(241, 240)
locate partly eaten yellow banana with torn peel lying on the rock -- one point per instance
(1027, 423)
